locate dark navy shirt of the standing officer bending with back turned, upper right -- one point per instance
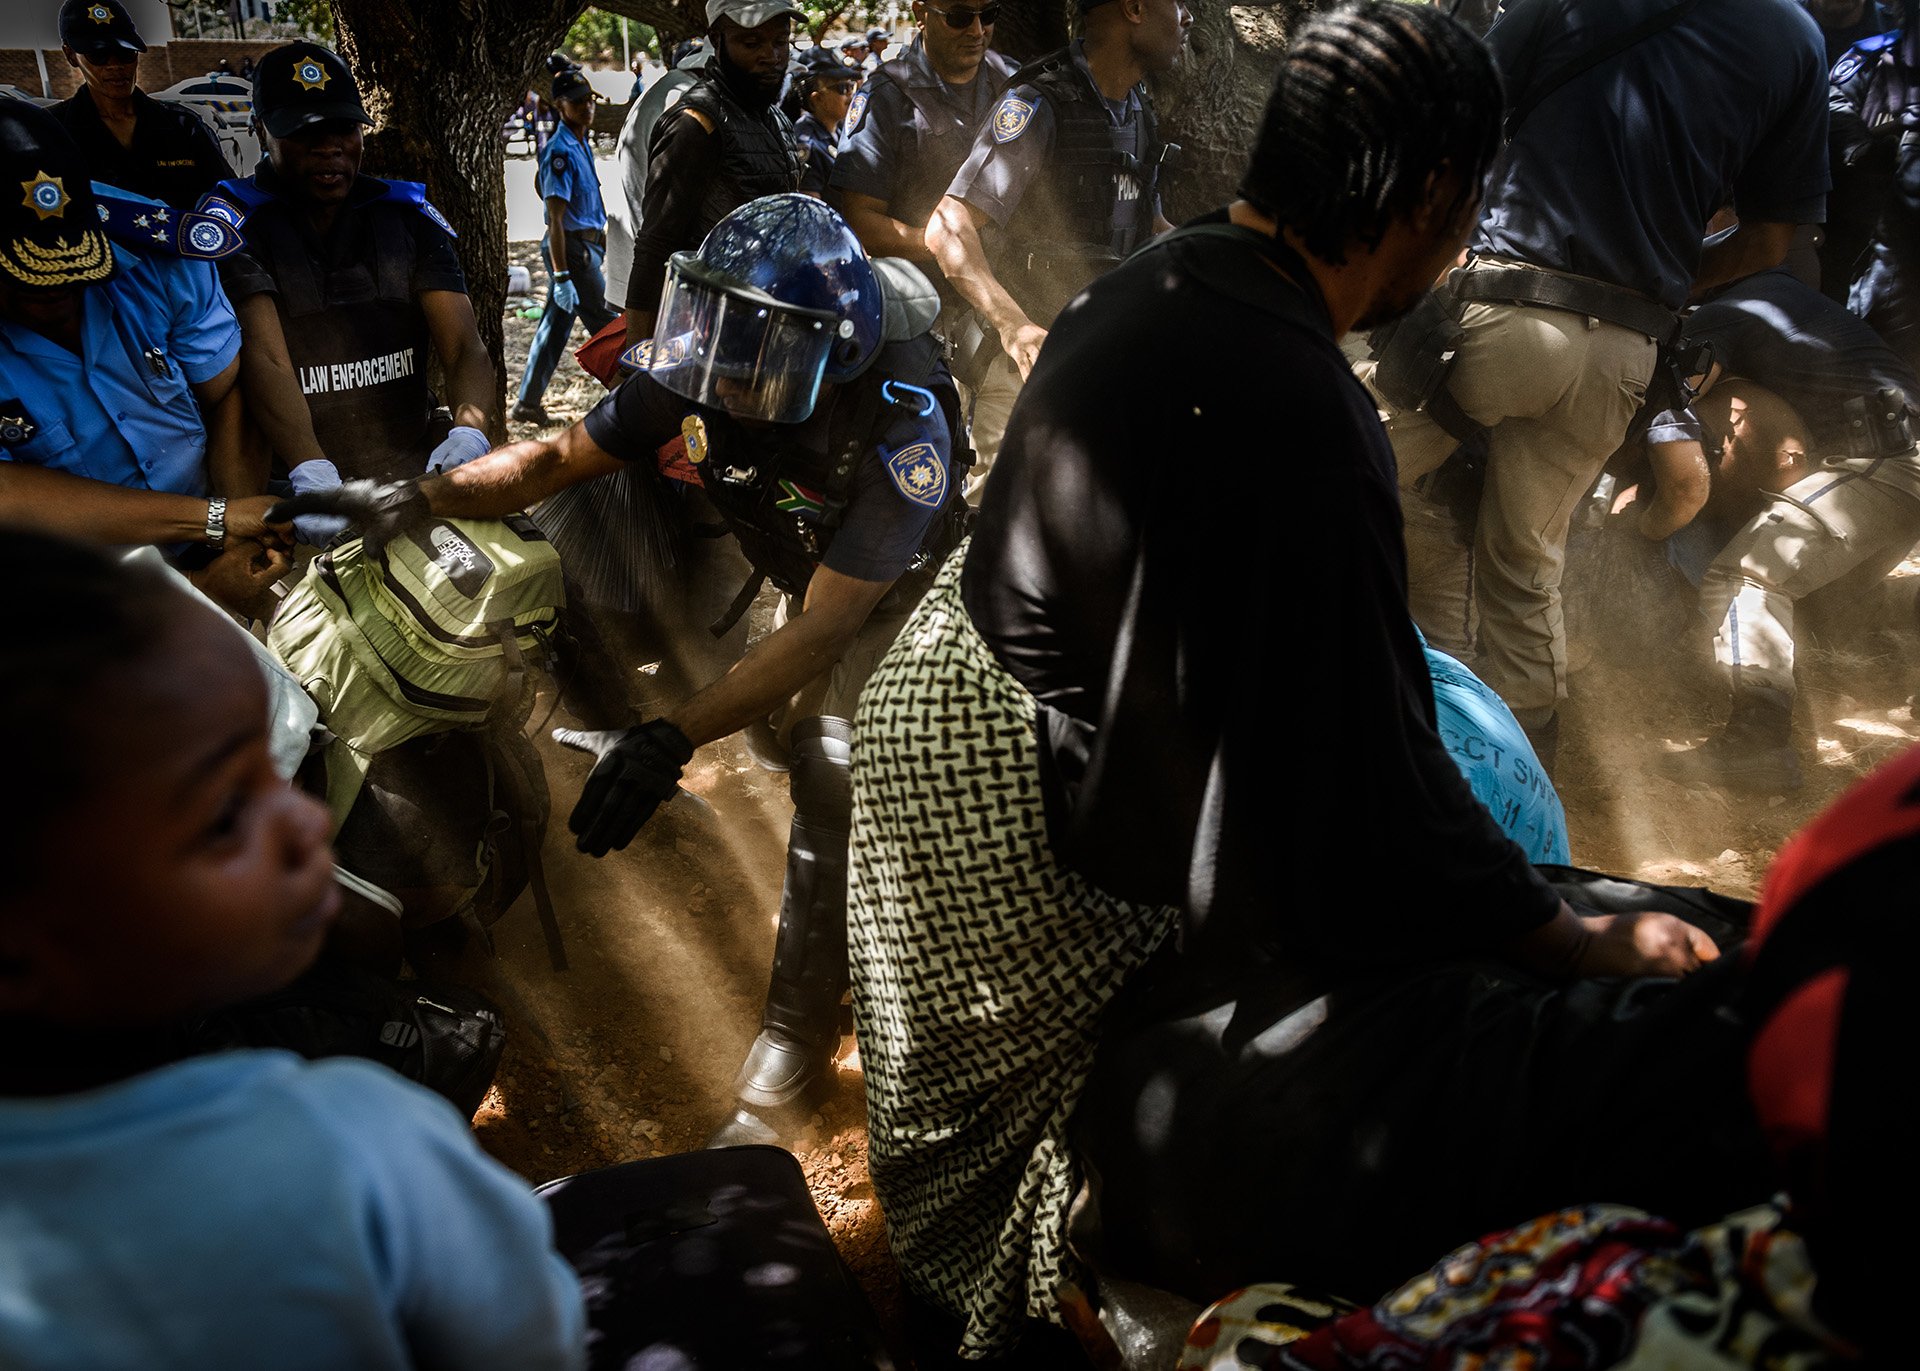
(1616, 174)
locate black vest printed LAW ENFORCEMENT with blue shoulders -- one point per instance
(354, 329)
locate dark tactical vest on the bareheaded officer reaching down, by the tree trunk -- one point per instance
(1063, 233)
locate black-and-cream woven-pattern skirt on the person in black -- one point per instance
(980, 973)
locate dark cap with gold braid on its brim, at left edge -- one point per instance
(51, 237)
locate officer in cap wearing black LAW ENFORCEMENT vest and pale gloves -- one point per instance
(343, 287)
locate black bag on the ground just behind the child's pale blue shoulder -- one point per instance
(446, 1038)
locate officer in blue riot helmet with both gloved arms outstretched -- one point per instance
(800, 385)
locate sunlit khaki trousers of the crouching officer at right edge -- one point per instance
(1829, 525)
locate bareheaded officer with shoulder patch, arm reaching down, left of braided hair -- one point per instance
(1063, 183)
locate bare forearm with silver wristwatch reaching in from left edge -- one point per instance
(80, 508)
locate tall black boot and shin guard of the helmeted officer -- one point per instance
(792, 1063)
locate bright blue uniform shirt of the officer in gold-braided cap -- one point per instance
(124, 412)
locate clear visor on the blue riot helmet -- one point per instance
(738, 349)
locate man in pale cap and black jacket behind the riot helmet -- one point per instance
(721, 147)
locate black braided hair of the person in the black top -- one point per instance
(1374, 101)
